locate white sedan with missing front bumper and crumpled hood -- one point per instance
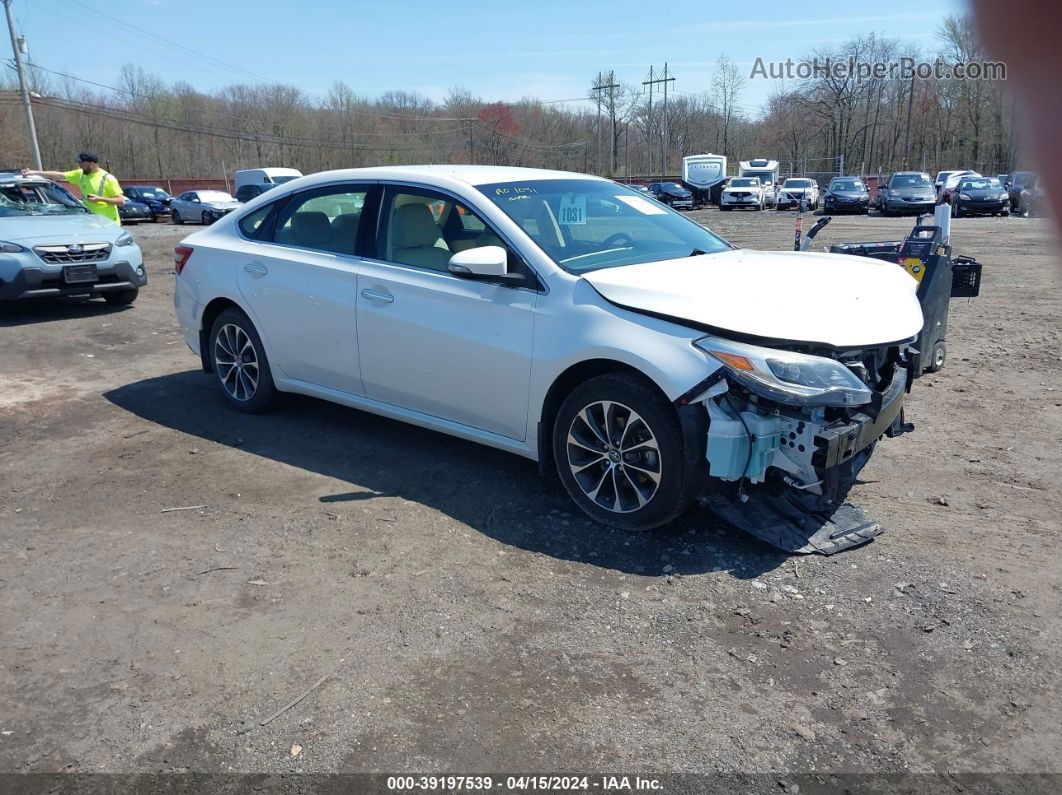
(372, 287)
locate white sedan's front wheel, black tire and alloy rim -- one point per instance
(619, 450)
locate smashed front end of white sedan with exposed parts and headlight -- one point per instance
(790, 429)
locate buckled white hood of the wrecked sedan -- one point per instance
(833, 300)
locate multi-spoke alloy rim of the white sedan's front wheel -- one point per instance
(614, 457)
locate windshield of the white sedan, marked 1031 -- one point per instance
(586, 224)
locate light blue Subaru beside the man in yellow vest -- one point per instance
(52, 246)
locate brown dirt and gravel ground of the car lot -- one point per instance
(469, 618)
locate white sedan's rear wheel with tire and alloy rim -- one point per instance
(241, 365)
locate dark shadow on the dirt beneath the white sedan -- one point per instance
(498, 494)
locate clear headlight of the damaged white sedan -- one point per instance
(786, 377)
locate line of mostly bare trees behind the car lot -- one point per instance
(146, 128)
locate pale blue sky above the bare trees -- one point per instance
(500, 50)
